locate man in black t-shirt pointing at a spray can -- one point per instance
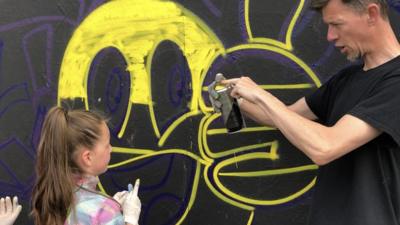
(356, 141)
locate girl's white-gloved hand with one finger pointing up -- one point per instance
(132, 205)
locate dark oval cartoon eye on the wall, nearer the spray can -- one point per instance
(171, 84)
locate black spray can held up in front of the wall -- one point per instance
(228, 106)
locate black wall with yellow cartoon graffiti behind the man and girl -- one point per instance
(146, 64)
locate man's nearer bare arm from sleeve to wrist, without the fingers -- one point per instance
(320, 143)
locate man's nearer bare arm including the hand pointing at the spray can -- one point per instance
(320, 143)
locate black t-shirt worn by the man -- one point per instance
(363, 186)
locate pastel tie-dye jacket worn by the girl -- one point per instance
(92, 207)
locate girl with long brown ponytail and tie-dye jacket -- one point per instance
(74, 149)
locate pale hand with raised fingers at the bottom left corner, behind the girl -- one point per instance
(9, 211)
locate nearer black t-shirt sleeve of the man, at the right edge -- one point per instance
(381, 109)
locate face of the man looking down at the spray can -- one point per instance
(347, 28)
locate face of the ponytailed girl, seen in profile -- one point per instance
(101, 152)
